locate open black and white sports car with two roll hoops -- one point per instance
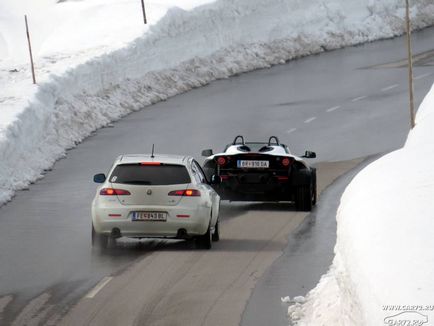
(251, 171)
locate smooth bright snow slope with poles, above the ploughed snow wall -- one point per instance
(79, 28)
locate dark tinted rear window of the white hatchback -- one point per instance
(159, 175)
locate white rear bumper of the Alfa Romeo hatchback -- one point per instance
(106, 219)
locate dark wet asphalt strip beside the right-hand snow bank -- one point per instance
(306, 258)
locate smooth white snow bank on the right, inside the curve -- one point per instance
(384, 253)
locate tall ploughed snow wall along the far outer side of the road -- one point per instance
(82, 91)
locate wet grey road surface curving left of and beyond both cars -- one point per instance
(343, 105)
